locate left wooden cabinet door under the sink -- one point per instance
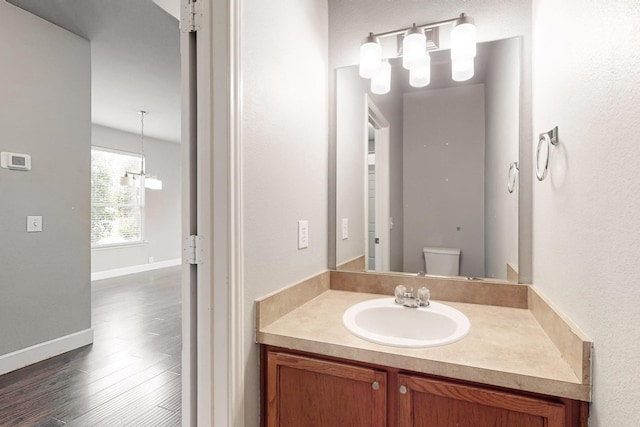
(302, 391)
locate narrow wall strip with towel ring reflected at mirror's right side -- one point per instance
(502, 88)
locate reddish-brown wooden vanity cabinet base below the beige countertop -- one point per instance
(304, 390)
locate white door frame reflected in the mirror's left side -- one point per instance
(381, 126)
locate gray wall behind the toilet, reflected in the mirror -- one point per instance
(444, 134)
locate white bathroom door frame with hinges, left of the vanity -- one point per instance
(212, 381)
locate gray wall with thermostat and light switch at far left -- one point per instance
(45, 111)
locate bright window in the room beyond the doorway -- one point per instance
(117, 211)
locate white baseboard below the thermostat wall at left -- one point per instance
(43, 351)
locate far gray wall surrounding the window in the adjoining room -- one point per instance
(162, 207)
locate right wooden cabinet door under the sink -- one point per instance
(433, 403)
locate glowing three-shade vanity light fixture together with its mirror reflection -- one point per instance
(417, 40)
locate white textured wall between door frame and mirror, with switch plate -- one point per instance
(284, 150)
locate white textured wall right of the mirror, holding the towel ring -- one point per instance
(586, 241)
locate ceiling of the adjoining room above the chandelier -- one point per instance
(135, 60)
